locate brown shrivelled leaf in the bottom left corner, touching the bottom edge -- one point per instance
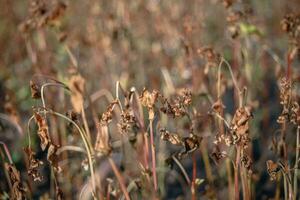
(17, 191)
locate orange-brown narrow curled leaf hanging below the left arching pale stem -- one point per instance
(43, 130)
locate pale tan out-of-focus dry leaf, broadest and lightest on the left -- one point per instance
(77, 84)
